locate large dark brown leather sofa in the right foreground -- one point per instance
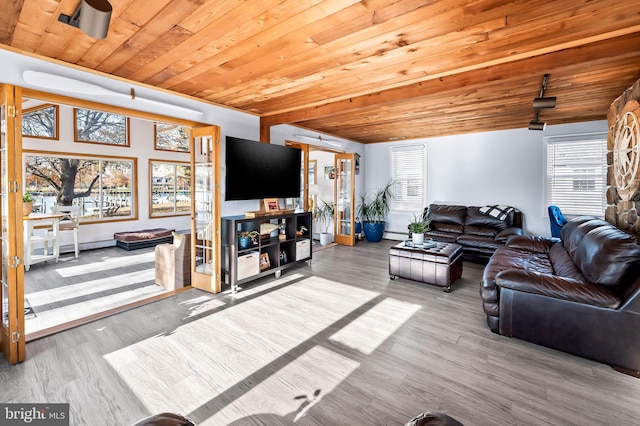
(579, 294)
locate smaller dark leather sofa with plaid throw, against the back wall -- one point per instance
(479, 234)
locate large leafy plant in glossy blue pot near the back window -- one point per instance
(373, 209)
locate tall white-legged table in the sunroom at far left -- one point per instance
(36, 220)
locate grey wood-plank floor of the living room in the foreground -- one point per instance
(334, 343)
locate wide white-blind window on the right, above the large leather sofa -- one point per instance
(577, 174)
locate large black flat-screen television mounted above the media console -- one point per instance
(257, 170)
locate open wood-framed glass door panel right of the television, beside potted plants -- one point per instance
(345, 195)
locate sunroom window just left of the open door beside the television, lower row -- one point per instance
(170, 188)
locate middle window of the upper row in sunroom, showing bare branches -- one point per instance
(100, 127)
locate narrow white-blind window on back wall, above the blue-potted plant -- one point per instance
(407, 171)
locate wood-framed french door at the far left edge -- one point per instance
(12, 341)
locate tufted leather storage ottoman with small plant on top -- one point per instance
(440, 265)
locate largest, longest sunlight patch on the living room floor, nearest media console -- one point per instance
(215, 353)
